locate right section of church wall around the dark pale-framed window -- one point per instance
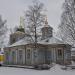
(56, 54)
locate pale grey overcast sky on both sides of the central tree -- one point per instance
(11, 10)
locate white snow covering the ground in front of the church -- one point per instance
(56, 70)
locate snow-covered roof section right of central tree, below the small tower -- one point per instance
(52, 40)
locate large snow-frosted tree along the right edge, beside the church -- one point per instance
(67, 26)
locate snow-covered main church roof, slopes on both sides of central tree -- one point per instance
(27, 40)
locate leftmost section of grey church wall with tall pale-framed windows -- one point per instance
(15, 58)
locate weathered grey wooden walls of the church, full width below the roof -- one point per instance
(25, 55)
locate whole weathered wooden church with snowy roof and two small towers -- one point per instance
(22, 51)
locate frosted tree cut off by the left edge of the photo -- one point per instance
(3, 30)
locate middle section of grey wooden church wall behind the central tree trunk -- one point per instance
(36, 57)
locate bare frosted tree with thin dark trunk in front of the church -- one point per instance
(34, 18)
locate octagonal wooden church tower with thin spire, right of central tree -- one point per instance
(47, 31)
